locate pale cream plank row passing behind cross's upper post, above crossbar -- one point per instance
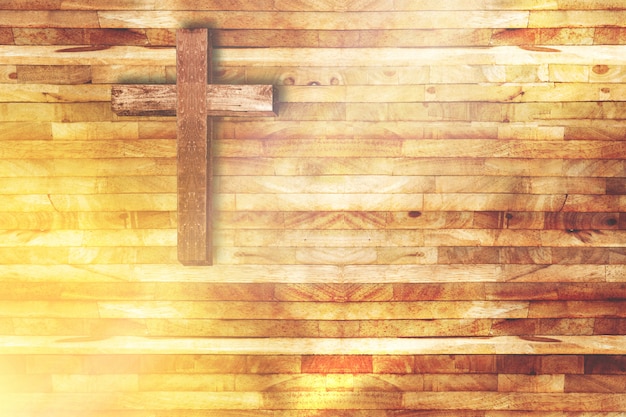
(321, 57)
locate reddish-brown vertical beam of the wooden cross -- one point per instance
(194, 149)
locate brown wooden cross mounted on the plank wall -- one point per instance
(194, 100)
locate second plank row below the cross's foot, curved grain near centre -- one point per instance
(312, 292)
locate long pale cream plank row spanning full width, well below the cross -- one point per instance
(503, 345)
